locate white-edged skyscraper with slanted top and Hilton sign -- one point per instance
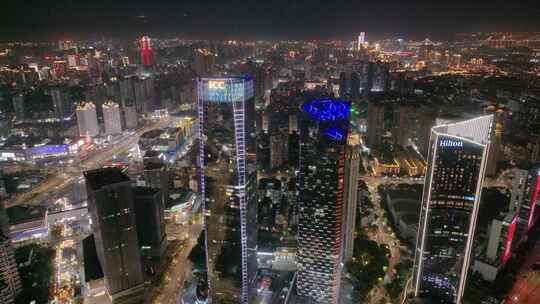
(452, 190)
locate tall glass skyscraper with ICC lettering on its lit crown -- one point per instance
(228, 184)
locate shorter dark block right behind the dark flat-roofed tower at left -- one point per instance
(149, 213)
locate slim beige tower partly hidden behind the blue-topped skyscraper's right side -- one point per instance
(352, 166)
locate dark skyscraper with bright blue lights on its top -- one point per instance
(323, 137)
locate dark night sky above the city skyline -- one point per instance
(254, 19)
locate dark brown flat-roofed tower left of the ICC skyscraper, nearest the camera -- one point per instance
(111, 207)
